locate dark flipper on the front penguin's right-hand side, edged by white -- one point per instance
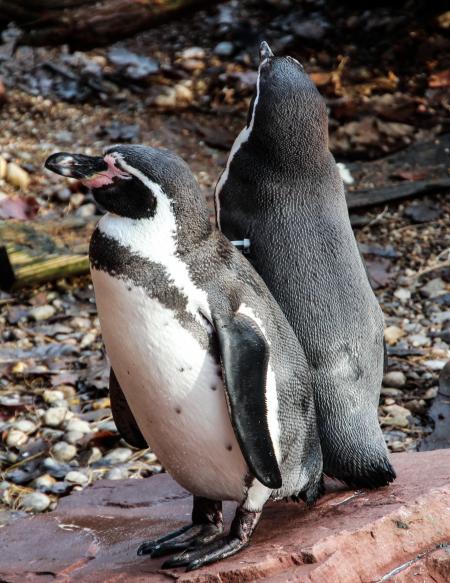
(244, 355)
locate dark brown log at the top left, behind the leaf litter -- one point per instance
(83, 23)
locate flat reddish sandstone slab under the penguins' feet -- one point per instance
(393, 534)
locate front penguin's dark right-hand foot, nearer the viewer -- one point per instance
(242, 527)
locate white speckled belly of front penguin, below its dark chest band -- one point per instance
(173, 387)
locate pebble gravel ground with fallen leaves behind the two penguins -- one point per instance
(187, 88)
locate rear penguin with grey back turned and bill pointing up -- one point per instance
(281, 198)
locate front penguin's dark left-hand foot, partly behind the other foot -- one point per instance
(207, 524)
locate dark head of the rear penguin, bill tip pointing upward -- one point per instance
(287, 110)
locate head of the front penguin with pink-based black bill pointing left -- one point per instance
(136, 182)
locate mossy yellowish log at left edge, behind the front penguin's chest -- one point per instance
(35, 252)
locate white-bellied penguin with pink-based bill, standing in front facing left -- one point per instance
(207, 370)
